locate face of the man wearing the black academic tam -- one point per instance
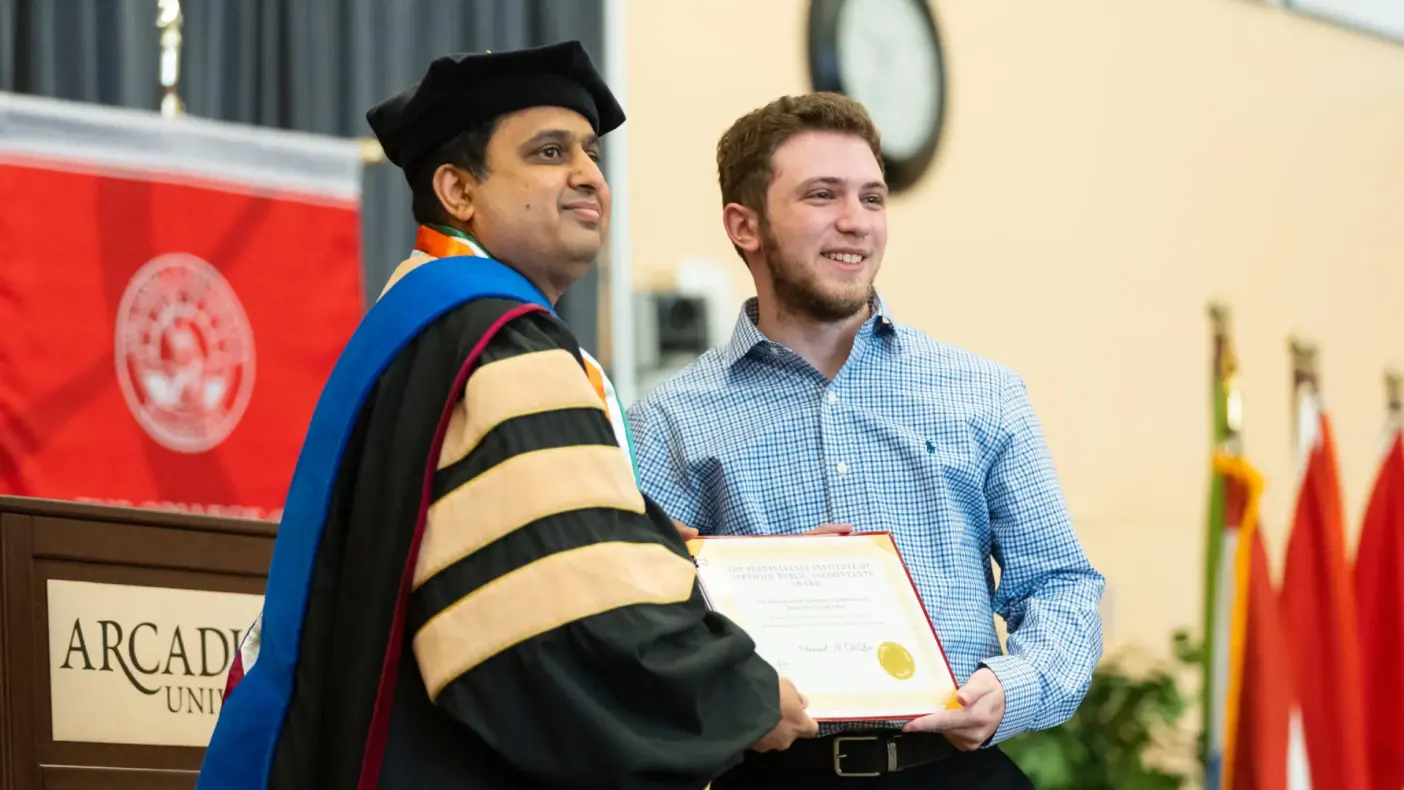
(544, 206)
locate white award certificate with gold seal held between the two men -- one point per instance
(836, 614)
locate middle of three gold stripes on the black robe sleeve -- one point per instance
(519, 492)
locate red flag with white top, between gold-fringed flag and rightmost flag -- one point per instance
(1319, 614)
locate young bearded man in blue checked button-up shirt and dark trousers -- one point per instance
(826, 412)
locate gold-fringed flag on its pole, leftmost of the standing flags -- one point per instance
(1246, 707)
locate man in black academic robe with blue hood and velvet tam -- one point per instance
(468, 589)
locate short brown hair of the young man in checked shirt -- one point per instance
(745, 155)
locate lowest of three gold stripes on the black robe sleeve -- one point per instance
(544, 596)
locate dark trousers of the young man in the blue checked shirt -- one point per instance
(809, 765)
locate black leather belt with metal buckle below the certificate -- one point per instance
(870, 754)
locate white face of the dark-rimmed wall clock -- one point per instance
(888, 61)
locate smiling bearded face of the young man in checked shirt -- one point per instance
(822, 238)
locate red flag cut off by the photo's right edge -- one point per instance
(1381, 605)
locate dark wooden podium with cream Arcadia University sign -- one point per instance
(117, 632)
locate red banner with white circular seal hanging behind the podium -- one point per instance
(176, 293)
